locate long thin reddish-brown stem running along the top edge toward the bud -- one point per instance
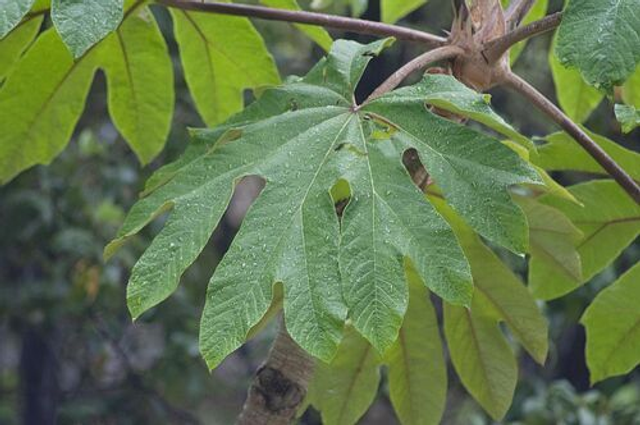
(359, 26)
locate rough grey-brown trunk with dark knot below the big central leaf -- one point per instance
(280, 385)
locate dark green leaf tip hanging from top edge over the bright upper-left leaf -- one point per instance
(83, 23)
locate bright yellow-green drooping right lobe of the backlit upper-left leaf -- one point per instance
(140, 83)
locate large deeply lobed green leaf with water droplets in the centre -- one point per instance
(302, 138)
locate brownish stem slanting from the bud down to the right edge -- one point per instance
(552, 111)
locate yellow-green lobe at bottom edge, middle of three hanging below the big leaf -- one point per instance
(417, 370)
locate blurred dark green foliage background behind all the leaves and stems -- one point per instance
(69, 353)
